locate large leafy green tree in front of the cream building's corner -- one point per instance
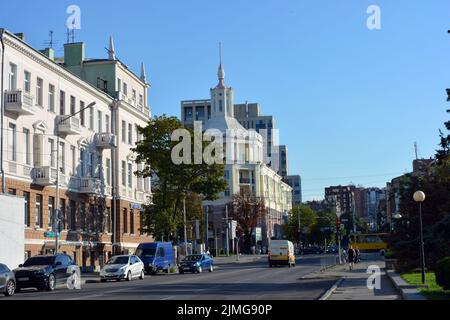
(171, 183)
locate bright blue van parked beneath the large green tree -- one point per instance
(156, 256)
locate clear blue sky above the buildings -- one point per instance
(349, 102)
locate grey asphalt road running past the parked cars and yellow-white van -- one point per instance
(243, 281)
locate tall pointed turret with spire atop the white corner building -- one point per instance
(222, 97)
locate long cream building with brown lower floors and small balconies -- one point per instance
(45, 100)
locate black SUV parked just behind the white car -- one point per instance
(45, 272)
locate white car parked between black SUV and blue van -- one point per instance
(123, 267)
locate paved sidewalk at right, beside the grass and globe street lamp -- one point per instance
(353, 283)
